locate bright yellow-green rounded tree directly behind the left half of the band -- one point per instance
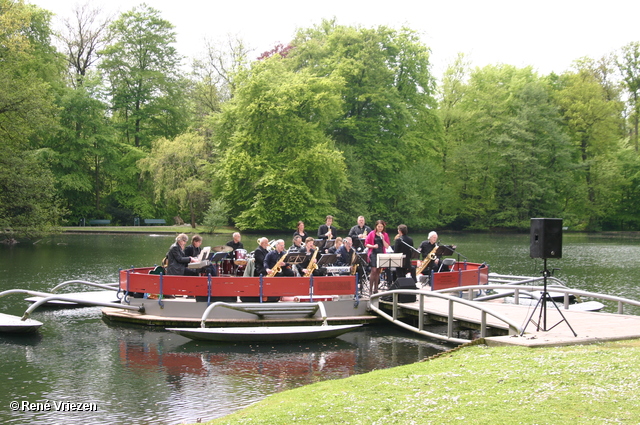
(278, 166)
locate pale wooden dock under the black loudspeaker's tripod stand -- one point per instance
(590, 327)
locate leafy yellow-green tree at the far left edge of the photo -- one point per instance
(28, 69)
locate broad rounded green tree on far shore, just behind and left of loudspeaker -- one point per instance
(508, 157)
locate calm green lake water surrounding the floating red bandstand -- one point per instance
(138, 375)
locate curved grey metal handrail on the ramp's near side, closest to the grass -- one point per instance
(514, 328)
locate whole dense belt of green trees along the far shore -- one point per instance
(341, 120)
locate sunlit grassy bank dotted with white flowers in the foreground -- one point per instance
(597, 383)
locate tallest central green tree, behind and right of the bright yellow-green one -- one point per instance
(387, 123)
